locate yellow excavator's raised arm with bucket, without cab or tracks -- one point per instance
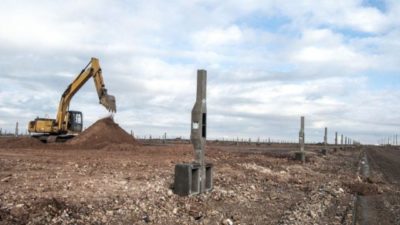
(91, 70)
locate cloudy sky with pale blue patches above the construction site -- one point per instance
(268, 63)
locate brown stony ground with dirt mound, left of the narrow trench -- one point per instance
(97, 178)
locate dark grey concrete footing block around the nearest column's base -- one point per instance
(187, 179)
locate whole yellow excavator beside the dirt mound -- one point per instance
(69, 123)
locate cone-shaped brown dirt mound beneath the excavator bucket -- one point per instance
(105, 132)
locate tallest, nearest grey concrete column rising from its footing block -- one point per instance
(199, 125)
